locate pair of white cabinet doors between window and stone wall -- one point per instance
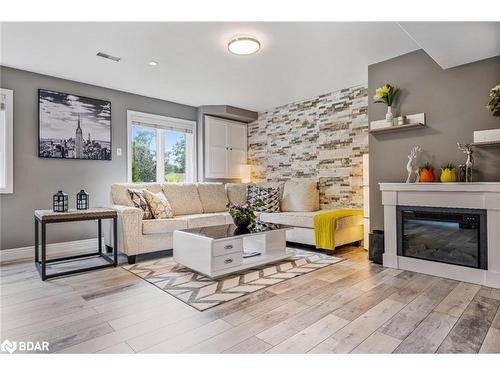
(225, 147)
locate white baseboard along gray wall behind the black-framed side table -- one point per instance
(53, 250)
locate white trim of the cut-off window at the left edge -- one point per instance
(9, 141)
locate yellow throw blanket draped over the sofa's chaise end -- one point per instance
(325, 224)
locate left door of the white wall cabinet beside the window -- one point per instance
(216, 149)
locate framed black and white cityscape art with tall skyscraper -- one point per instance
(73, 127)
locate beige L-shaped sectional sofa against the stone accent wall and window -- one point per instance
(204, 204)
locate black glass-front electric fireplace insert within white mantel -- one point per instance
(447, 235)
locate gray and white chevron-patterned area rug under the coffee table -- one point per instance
(202, 293)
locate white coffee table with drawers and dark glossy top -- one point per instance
(220, 250)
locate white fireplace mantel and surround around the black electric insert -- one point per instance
(479, 195)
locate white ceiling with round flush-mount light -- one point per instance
(297, 60)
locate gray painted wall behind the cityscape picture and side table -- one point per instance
(36, 179)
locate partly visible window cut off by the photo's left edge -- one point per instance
(6, 141)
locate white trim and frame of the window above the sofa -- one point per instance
(163, 122)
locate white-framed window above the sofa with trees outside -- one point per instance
(160, 149)
